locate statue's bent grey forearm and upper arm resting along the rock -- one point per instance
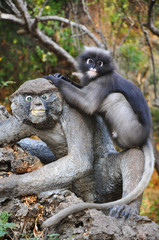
(59, 174)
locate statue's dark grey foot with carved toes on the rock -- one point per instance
(124, 211)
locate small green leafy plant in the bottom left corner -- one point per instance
(4, 224)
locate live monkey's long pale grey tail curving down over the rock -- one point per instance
(148, 170)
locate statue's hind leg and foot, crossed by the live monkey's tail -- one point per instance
(132, 166)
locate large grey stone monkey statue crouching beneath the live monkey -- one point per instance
(87, 159)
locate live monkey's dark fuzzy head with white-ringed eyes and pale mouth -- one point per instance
(95, 62)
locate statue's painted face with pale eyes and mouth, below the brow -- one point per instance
(40, 111)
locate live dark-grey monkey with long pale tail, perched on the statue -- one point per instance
(123, 108)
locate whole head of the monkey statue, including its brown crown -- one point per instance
(37, 103)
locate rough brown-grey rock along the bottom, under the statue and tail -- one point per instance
(29, 212)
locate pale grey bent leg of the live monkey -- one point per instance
(123, 122)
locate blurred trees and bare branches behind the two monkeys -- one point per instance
(41, 37)
